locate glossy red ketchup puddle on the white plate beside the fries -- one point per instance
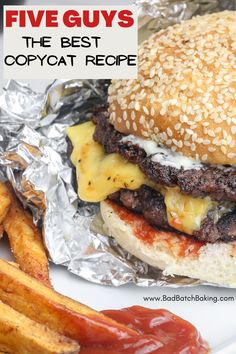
(158, 332)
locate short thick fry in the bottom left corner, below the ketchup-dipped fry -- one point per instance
(19, 334)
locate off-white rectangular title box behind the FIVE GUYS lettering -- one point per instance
(113, 41)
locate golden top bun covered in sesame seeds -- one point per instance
(185, 94)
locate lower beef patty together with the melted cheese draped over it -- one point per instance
(218, 224)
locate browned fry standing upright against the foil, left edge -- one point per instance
(26, 242)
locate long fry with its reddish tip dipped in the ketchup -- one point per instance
(64, 315)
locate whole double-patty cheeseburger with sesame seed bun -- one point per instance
(161, 158)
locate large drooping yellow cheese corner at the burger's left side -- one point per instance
(100, 174)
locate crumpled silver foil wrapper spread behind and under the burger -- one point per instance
(34, 157)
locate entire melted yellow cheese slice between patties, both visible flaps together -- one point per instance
(100, 174)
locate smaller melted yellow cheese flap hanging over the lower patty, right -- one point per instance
(185, 213)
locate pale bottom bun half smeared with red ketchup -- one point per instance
(173, 253)
